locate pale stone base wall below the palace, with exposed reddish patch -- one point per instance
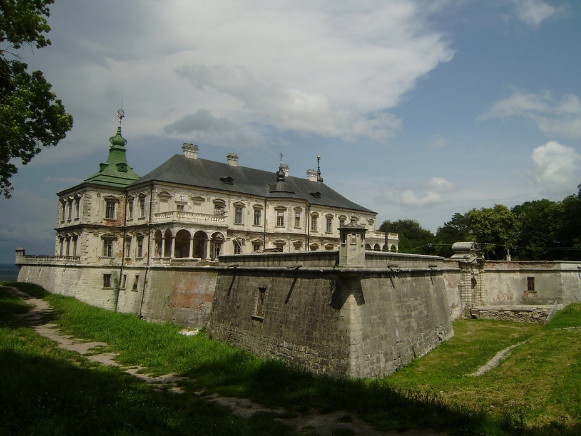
(180, 295)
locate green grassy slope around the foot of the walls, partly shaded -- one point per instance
(535, 390)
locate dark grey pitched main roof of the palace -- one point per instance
(221, 176)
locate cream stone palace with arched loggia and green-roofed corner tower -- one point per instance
(193, 208)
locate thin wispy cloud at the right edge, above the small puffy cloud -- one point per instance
(552, 116)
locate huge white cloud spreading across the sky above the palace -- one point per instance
(328, 68)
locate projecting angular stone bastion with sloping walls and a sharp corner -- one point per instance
(361, 322)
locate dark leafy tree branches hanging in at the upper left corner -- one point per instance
(31, 116)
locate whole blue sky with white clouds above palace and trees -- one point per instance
(418, 108)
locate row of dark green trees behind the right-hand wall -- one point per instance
(535, 230)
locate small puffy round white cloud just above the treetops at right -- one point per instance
(555, 167)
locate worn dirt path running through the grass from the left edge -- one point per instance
(312, 422)
